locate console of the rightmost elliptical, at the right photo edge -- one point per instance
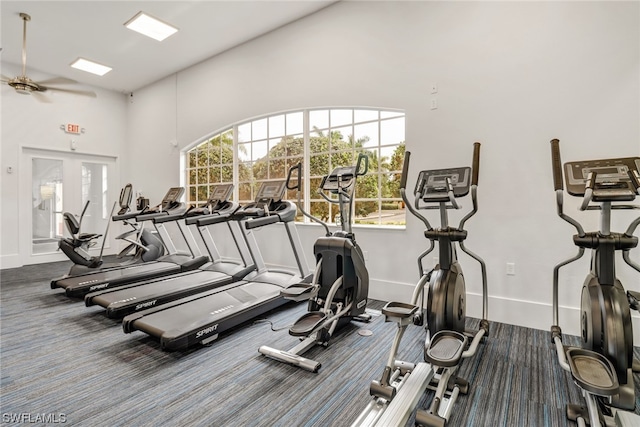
(612, 178)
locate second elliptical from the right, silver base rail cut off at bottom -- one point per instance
(401, 385)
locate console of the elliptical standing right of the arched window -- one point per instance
(432, 184)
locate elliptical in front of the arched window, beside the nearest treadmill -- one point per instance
(339, 289)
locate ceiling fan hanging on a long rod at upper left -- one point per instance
(24, 85)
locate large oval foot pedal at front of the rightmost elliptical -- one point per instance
(592, 372)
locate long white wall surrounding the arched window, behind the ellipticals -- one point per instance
(512, 75)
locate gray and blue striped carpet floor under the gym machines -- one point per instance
(62, 359)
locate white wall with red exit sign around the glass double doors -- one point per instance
(26, 122)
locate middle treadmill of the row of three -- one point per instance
(138, 296)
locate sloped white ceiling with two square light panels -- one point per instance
(61, 31)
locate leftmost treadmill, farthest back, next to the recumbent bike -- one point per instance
(174, 262)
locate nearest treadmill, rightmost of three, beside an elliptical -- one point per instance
(201, 318)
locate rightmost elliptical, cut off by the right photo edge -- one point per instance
(603, 368)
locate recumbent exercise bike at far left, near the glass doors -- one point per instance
(142, 245)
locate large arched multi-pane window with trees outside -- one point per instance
(264, 149)
